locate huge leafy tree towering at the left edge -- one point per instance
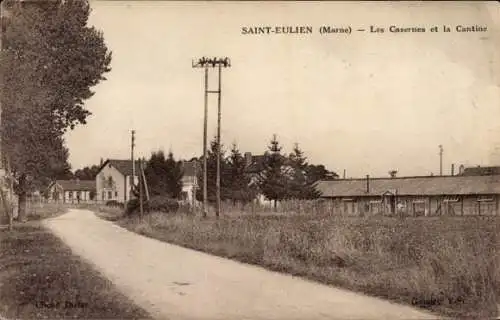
(50, 62)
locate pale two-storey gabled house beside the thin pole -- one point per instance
(114, 180)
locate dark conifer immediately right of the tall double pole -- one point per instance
(238, 181)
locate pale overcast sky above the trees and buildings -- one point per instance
(362, 102)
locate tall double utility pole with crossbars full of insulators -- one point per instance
(206, 63)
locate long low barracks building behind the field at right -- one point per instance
(413, 196)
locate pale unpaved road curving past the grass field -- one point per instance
(176, 283)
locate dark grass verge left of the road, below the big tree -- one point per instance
(41, 279)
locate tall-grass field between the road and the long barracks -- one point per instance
(449, 265)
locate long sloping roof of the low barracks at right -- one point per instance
(436, 185)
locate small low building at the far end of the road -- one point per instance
(71, 191)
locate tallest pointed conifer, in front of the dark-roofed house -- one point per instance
(273, 181)
